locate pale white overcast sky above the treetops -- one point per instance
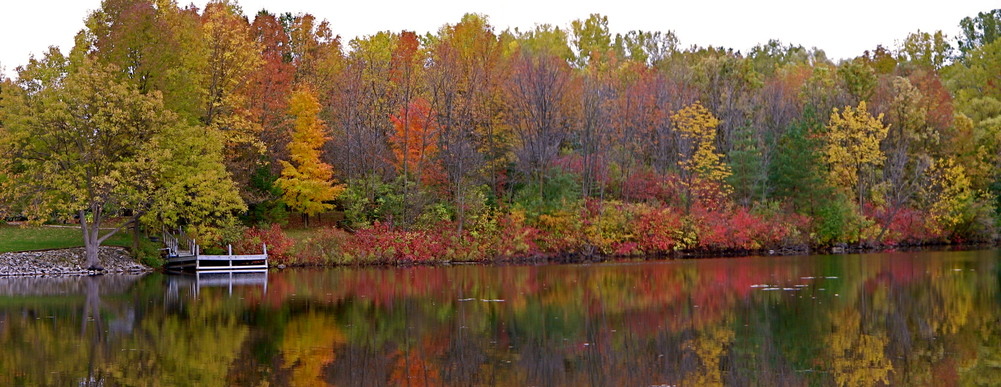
(843, 28)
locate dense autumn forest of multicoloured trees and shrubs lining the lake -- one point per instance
(473, 144)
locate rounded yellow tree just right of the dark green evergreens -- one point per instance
(853, 148)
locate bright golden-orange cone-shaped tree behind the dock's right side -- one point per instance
(308, 183)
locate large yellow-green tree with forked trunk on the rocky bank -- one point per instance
(84, 145)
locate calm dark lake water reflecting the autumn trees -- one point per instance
(901, 318)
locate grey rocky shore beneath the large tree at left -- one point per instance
(116, 260)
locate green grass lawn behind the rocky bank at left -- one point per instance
(17, 238)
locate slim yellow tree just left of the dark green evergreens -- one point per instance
(704, 170)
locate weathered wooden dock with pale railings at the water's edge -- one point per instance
(186, 255)
